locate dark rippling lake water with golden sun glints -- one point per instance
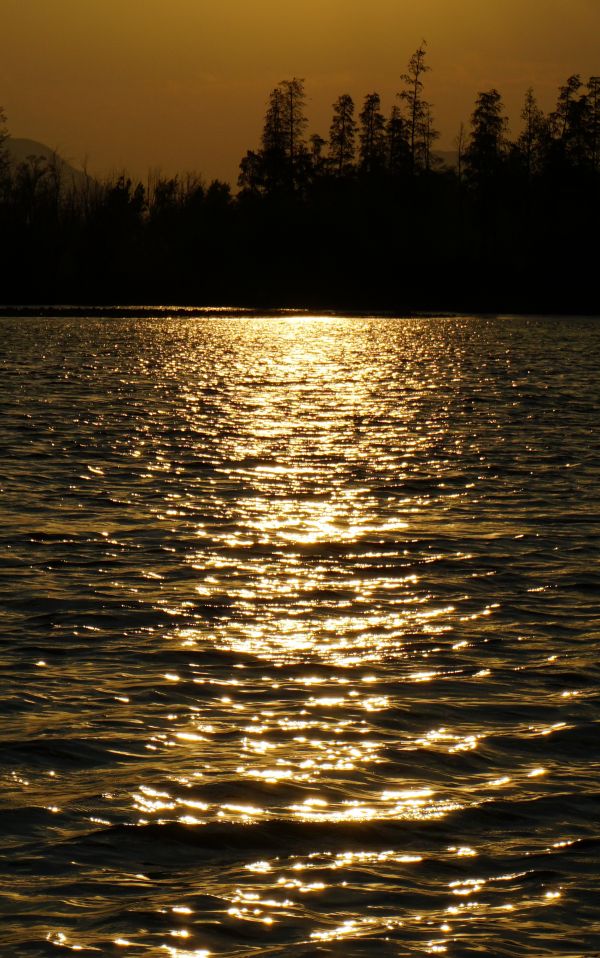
(300, 637)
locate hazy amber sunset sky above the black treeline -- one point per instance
(181, 85)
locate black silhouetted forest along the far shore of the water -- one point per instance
(368, 217)
